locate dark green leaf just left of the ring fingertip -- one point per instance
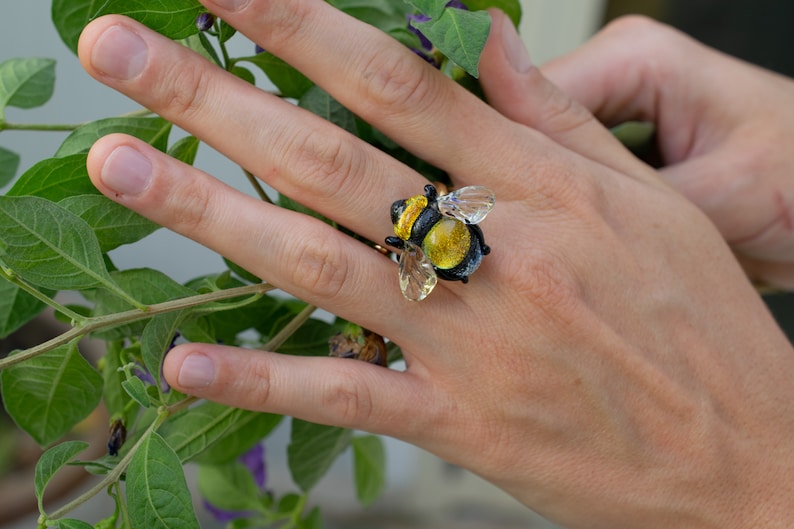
(55, 179)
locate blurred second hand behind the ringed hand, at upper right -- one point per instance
(723, 128)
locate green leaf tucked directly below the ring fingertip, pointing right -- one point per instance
(113, 224)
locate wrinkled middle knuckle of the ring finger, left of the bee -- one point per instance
(318, 266)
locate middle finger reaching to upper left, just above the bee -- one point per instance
(298, 153)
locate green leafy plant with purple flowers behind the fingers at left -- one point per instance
(55, 234)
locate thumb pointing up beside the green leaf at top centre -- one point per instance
(519, 90)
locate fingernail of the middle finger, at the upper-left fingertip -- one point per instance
(119, 53)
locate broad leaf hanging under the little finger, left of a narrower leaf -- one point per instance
(312, 450)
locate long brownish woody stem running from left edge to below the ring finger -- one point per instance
(100, 322)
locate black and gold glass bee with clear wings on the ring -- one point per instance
(439, 237)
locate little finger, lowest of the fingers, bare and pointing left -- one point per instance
(336, 391)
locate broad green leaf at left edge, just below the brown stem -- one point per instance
(48, 394)
